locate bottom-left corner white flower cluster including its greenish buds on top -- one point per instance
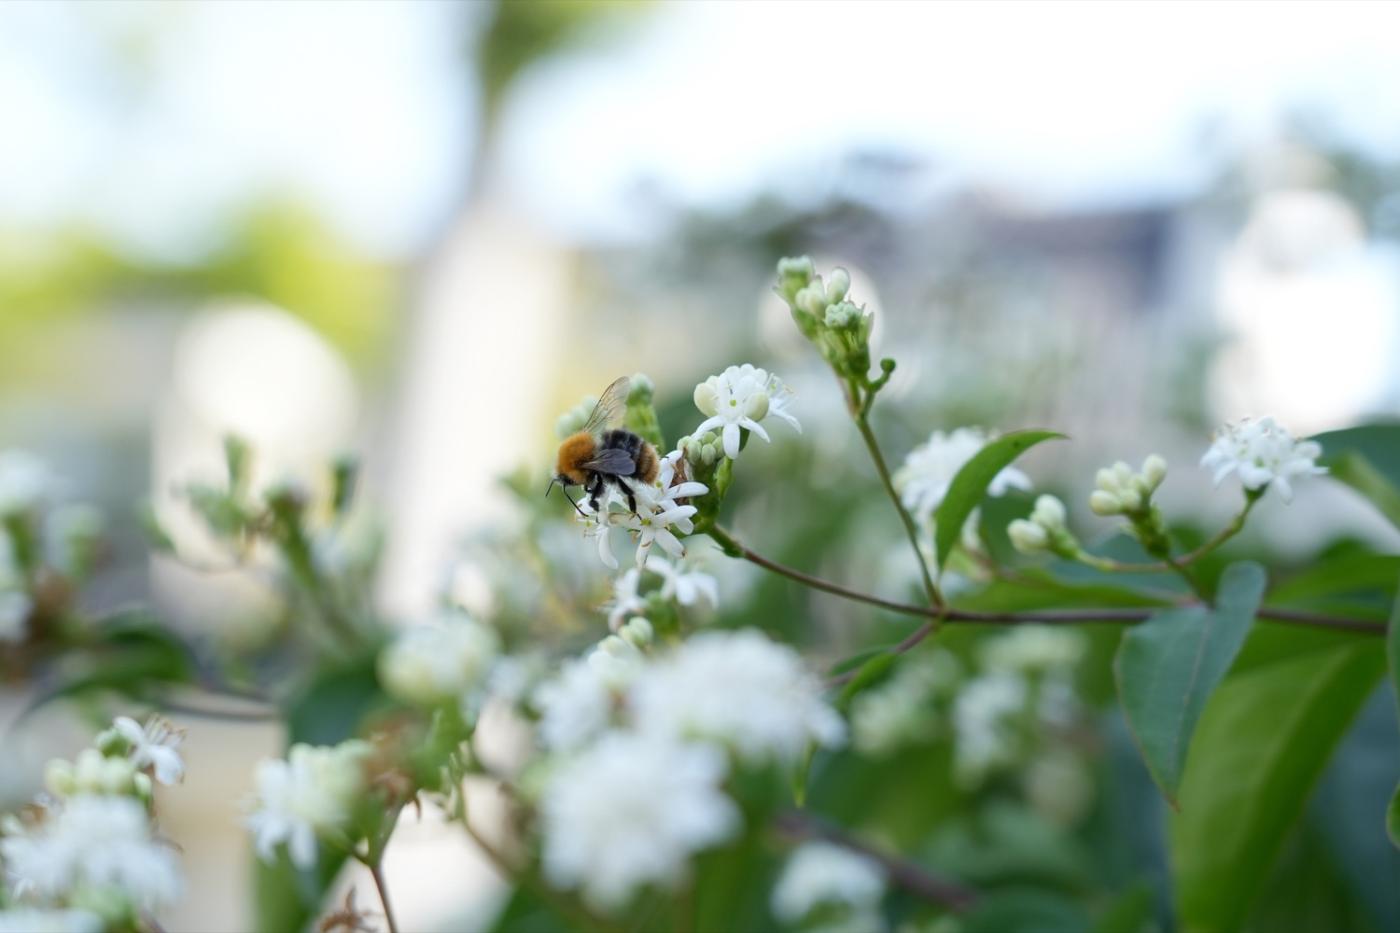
(90, 845)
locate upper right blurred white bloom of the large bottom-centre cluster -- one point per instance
(741, 690)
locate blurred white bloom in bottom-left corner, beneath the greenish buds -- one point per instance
(93, 841)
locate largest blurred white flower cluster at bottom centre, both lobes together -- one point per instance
(647, 740)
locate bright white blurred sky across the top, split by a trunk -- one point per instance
(367, 110)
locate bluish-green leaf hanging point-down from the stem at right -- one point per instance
(1168, 668)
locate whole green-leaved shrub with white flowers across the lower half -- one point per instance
(703, 756)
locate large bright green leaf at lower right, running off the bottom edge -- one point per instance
(1261, 747)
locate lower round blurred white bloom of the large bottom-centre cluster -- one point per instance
(631, 812)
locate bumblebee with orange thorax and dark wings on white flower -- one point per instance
(603, 455)
